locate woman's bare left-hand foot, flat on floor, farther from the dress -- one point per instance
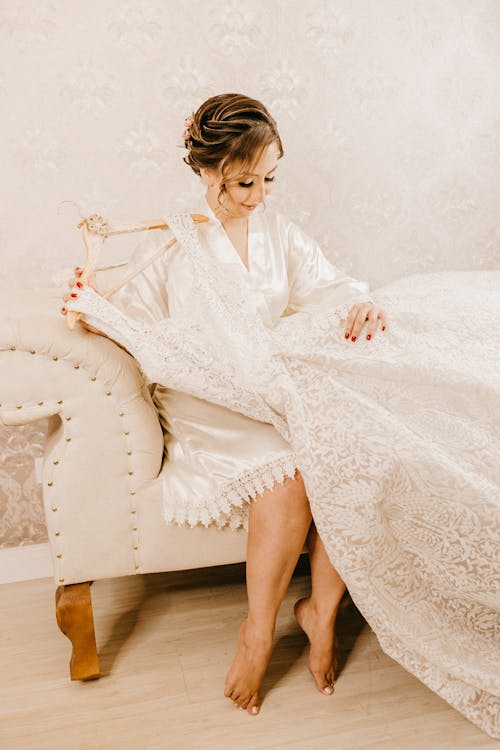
(245, 676)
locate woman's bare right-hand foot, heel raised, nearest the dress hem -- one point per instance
(320, 629)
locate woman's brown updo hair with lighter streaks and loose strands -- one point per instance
(229, 130)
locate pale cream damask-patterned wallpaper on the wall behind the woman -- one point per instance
(389, 113)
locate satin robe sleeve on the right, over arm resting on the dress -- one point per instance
(313, 281)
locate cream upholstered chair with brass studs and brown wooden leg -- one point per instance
(102, 465)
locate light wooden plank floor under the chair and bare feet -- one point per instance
(166, 642)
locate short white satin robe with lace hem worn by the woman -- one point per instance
(217, 460)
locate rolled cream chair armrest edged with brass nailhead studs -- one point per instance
(105, 439)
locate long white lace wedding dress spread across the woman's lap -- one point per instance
(397, 439)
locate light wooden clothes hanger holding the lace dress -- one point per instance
(95, 229)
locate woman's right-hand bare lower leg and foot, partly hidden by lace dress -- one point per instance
(316, 614)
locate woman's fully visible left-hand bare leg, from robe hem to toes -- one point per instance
(278, 524)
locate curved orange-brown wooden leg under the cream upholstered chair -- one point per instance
(76, 620)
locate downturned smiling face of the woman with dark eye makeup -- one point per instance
(245, 191)
